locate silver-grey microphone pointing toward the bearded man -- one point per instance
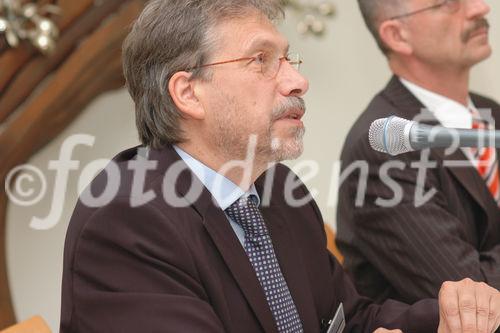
(394, 135)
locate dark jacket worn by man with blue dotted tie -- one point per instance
(156, 268)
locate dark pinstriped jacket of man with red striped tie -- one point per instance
(406, 252)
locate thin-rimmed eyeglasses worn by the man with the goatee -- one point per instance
(269, 64)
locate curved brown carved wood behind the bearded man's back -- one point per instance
(41, 95)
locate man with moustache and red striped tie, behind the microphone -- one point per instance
(420, 226)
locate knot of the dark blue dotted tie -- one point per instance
(246, 213)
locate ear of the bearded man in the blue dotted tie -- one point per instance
(183, 93)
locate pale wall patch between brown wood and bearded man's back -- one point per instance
(34, 257)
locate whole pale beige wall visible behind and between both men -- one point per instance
(345, 70)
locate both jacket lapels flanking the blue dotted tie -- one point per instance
(236, 259)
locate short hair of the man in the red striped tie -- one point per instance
(375, 12)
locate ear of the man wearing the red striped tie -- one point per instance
(395, 36)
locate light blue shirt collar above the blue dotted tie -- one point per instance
(223, 190)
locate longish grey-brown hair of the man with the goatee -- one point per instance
(171, 36)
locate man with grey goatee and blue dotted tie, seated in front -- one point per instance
(204, 233)
